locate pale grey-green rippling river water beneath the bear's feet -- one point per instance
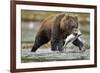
(43, 55)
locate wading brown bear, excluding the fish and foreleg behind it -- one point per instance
(55, 28)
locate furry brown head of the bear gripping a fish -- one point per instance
(69, 24)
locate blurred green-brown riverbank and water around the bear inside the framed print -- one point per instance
(30, 23)
